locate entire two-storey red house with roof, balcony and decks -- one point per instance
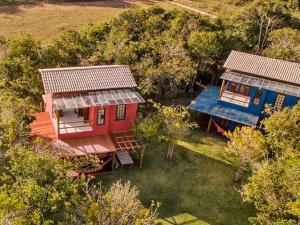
(88, 110)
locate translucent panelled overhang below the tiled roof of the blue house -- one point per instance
(262, 83)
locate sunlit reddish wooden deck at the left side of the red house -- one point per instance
(42, 126)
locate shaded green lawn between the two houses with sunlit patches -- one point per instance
(196, 187)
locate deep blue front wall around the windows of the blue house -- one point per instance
(268, 97)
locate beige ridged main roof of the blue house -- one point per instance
(275, 69)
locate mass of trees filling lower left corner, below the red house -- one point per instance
(35, 189)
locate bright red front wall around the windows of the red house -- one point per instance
(111, 125)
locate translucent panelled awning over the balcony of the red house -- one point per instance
(97, 98)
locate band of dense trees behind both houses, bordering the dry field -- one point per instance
(167, 51)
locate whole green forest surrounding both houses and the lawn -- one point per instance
(172, 54)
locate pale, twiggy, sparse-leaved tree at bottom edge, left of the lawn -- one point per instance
(119, 205)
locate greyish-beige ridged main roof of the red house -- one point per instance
(71, 79)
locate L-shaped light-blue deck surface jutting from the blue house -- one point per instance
(207, 102)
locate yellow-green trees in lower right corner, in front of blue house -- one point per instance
(274, 185)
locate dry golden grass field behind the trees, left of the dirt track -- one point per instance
(46, 21)
